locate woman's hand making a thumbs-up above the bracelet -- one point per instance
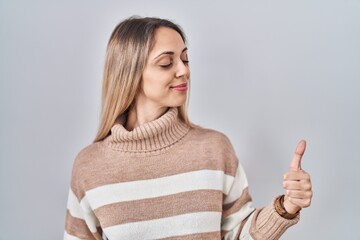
(297, 183)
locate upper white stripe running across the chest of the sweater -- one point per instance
(135, 190)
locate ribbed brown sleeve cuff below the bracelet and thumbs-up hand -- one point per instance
(268, 224)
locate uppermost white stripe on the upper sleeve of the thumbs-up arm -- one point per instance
(240, 183)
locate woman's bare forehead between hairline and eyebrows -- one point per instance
(167, 39)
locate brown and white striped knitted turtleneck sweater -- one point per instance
(164, 180)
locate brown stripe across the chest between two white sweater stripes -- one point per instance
(159, 207)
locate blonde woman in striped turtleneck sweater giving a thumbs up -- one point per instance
(150, 173)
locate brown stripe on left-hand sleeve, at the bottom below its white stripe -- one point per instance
(77, 227)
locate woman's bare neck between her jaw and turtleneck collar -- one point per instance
(140, 114)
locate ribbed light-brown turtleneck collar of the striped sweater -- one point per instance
(151, 136)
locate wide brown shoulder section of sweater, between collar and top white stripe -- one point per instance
(200, 149)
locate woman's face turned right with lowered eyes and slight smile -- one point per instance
(165, 80)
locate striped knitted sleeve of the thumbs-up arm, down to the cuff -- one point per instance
(242, 221)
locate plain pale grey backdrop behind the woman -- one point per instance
(266, 73)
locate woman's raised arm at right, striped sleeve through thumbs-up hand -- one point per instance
(271, 221)
